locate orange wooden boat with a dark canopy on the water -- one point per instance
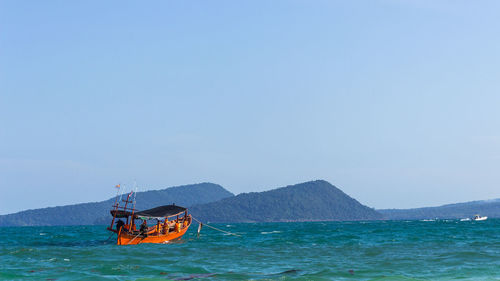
(171, 222)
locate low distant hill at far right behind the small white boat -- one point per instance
(490, 208)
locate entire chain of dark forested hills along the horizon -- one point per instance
(309, 201)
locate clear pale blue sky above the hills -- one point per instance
(395, 102)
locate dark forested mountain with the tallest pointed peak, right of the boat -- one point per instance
(309, 201)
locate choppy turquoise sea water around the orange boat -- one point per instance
(382, 250)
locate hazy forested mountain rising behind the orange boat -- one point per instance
(98, 212)
